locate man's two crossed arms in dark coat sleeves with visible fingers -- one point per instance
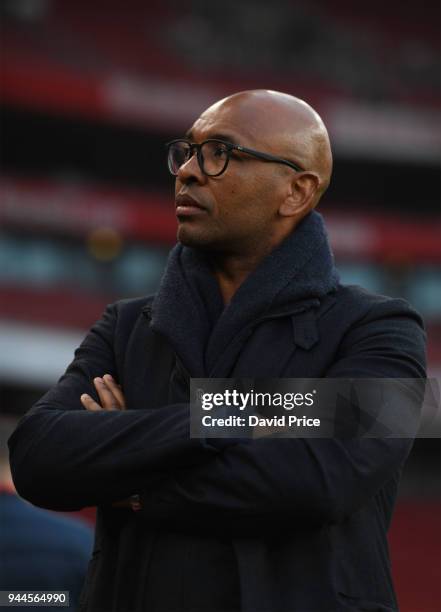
(65, 457)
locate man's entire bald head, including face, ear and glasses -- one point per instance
(248, 205)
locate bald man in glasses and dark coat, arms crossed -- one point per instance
(269, 525)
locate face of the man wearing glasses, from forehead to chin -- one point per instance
(238, 209)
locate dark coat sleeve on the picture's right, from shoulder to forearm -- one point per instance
(265, 481)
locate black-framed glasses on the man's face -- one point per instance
(213, 155)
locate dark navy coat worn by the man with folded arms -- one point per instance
(305, 520)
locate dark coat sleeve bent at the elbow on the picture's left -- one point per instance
(65, 458)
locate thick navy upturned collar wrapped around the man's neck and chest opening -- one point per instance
(188, 308)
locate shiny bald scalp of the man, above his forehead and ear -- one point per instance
(286, 125)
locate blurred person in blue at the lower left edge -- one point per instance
(39, 551)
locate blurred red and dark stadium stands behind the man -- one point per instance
(89, 93)
